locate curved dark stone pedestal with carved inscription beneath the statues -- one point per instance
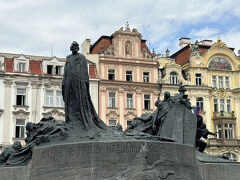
(119, 160)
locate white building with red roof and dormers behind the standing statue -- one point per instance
(30, 88)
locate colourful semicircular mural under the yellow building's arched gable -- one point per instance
(220, 63)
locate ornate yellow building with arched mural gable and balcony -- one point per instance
(211, 73)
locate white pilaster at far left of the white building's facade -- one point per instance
(7, 112)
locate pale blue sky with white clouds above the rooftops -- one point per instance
(47, 27)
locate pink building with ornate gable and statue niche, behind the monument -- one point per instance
(128, 77)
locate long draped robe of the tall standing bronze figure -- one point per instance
(79, 109)
